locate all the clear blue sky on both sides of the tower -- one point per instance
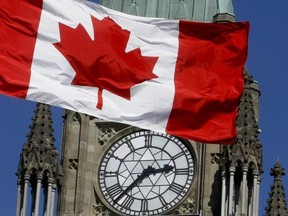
(267, 62)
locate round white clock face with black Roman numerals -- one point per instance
(145, 173)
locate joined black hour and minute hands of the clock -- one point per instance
(145, 173)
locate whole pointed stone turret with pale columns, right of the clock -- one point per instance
(242, 161)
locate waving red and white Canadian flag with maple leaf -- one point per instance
(179, 77)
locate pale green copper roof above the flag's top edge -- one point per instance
(196, 10)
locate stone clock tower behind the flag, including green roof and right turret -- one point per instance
(101, 159)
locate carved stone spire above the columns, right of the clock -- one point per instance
(247, 148)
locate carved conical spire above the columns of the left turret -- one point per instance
(39, 153)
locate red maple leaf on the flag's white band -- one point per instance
(103, 62)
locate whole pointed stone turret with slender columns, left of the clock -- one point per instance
(38, 167)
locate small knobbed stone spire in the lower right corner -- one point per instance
(276, 204)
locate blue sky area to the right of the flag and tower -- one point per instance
(268, 63)
